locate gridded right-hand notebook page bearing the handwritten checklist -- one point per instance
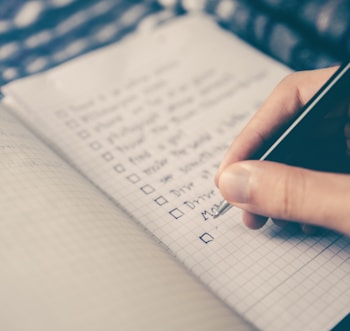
(148, 121)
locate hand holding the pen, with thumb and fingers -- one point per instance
(285, 193)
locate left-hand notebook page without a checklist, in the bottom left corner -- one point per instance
(71, 261)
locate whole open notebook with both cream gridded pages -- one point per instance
(92, 221)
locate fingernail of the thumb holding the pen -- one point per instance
(234, 184)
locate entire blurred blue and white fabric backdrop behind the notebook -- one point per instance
(38, 34)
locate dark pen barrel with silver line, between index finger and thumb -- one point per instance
(301, 144)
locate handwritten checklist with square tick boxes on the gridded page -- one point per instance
(158, 134)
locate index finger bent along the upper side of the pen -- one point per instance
(286, 99)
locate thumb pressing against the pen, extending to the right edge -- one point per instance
(289, 193)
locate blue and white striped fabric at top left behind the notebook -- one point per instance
(37, 35)
